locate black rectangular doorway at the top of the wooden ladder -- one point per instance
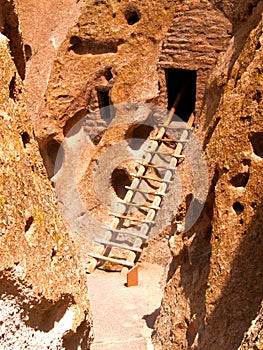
(175, 81)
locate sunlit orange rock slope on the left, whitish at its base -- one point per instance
(43, 290)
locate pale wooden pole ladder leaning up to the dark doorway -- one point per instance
(140, 236)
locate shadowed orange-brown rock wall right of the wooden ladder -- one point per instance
(215, 286)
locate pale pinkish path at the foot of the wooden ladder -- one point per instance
(123, 317)
